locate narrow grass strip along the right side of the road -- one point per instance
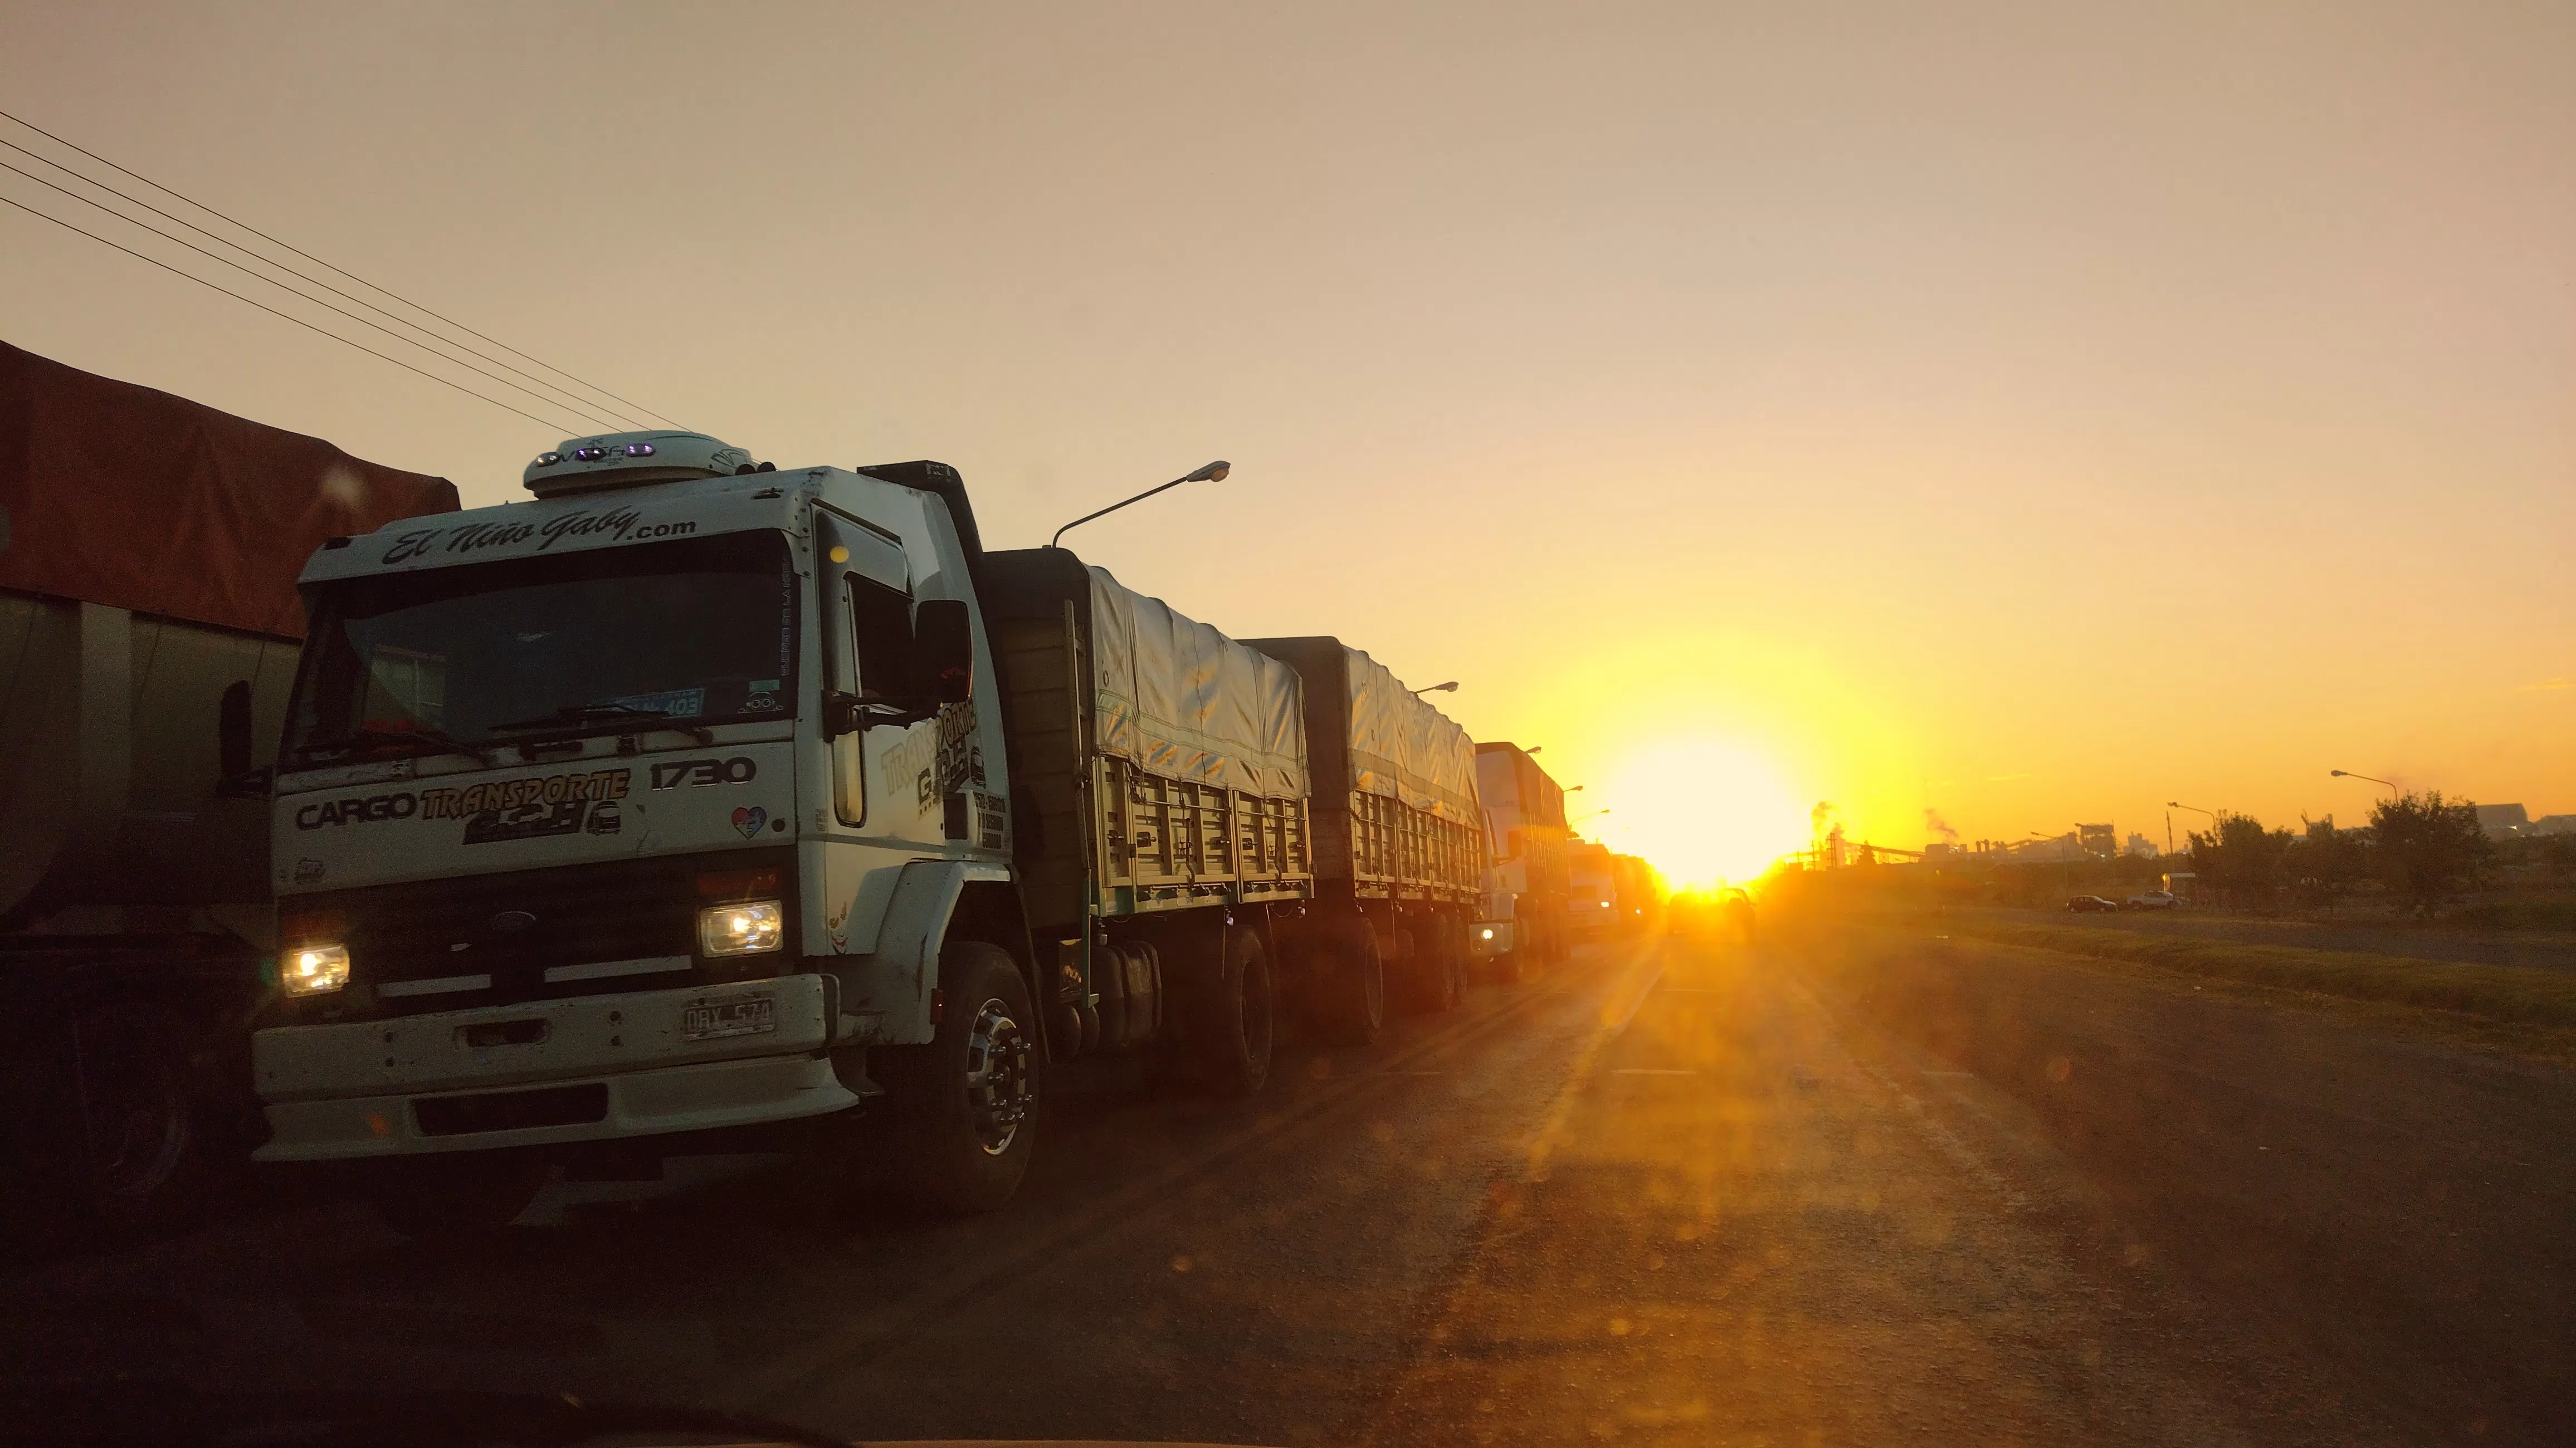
(2515, 996)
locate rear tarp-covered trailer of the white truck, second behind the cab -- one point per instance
(1397, 823)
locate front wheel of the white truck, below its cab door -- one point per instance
(967, 1104)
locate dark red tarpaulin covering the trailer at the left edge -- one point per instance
(128, 496)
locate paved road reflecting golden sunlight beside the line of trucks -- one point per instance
(1838, 1194)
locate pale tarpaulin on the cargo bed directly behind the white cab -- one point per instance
(1186, 702)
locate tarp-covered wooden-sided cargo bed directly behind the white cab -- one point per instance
(1160, 810)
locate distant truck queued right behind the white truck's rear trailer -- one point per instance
(1521, 921)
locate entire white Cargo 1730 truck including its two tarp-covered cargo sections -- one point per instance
(705, 803)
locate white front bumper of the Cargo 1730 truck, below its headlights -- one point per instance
(547, 1073)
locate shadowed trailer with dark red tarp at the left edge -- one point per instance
(148, 635)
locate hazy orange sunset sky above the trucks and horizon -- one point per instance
(2029, 414)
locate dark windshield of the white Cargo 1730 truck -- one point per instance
(687, 633)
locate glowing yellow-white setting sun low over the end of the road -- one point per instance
(1704, 810)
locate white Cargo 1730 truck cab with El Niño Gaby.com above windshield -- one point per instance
(656, 805)
